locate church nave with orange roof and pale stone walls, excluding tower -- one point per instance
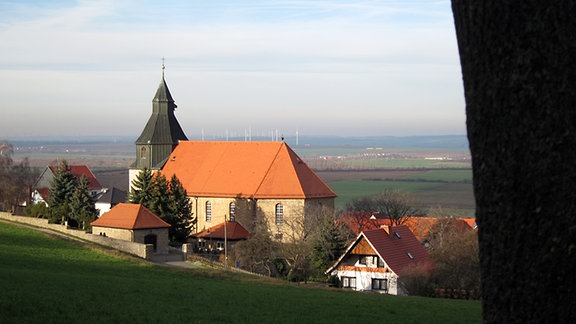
(248, 182)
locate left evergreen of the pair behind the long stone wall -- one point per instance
(62, 187)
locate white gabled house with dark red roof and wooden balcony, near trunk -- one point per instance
(377, 259)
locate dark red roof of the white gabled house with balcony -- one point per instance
(396, 245)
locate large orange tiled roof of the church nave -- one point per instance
(243, 170)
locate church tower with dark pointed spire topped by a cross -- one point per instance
(160, 135)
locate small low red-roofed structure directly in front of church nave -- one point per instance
(215, 238)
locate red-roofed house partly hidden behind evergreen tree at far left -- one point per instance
(41, 189)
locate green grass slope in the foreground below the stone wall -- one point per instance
(44, 279)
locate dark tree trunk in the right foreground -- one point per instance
(519, 74)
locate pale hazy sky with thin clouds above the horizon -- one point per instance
(353, 68)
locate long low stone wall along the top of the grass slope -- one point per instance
(140, 250)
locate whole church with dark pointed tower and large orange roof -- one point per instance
(264, 186)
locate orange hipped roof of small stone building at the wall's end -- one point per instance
(130, 216)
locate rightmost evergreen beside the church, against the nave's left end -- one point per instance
(182, 219)
